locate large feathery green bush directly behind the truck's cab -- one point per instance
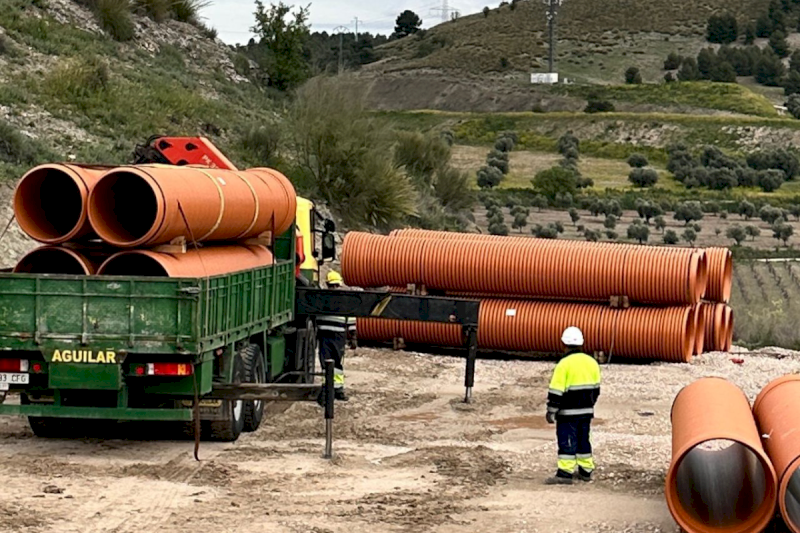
(343, 151)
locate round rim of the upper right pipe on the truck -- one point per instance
(98, 222)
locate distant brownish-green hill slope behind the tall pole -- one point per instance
(486, 60)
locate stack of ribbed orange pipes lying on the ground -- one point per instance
(532, 289)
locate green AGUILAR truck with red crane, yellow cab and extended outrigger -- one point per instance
(208, 352)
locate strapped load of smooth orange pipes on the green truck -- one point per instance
(151, 220)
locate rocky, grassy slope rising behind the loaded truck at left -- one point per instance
(68, 91)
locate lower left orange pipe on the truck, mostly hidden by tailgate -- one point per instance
(61, 260)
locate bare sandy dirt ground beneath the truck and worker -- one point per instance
(410, 456)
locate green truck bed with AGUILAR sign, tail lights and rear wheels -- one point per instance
(143, 348)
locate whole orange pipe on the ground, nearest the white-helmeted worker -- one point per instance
(720, 478)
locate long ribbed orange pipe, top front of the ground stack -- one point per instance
(540, 268)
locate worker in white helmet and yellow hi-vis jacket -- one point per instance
(570, 405)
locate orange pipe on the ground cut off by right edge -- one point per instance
(777, 413)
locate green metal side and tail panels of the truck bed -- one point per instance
(142, 315)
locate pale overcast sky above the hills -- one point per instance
(234, 18)
